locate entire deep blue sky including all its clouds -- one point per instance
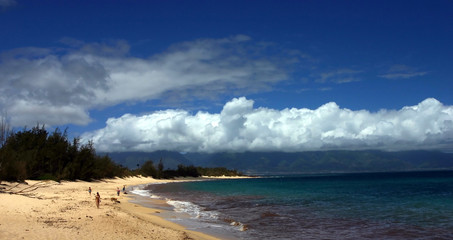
(224, 75)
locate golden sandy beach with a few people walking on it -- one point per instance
(52, 210)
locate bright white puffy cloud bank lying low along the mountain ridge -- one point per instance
(241, 127)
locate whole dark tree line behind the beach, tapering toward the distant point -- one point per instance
(37, 154)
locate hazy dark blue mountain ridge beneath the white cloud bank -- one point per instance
(301, 162)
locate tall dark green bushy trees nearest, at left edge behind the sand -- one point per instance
(36, 154)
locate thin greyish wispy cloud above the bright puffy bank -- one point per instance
(57, 86)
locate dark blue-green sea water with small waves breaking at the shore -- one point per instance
(409, 205)
